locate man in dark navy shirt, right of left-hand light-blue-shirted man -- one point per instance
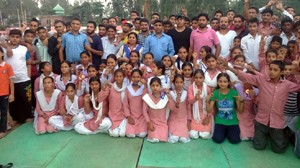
(96, 48)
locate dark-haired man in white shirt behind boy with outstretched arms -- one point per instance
(250, 44)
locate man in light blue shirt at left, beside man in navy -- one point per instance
(74, 42)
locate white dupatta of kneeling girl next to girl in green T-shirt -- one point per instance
(196, 111)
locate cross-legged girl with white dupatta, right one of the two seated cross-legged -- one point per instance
(93, 106)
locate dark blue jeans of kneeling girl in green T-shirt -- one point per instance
(232, 132)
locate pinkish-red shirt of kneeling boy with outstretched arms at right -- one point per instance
(271, 98)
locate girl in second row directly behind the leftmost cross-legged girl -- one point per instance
(66, 76)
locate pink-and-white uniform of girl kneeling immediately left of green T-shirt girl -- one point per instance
(198, 113)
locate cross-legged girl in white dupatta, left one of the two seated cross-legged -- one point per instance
(71, 110)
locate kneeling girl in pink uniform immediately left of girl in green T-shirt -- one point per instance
(201, 124)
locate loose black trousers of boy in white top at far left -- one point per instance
(21, 109)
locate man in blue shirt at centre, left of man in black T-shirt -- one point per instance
(159, 43)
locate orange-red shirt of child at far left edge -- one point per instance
(6, 73)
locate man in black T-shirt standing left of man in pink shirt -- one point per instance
(180, 34)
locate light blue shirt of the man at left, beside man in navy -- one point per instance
(74, 45)
